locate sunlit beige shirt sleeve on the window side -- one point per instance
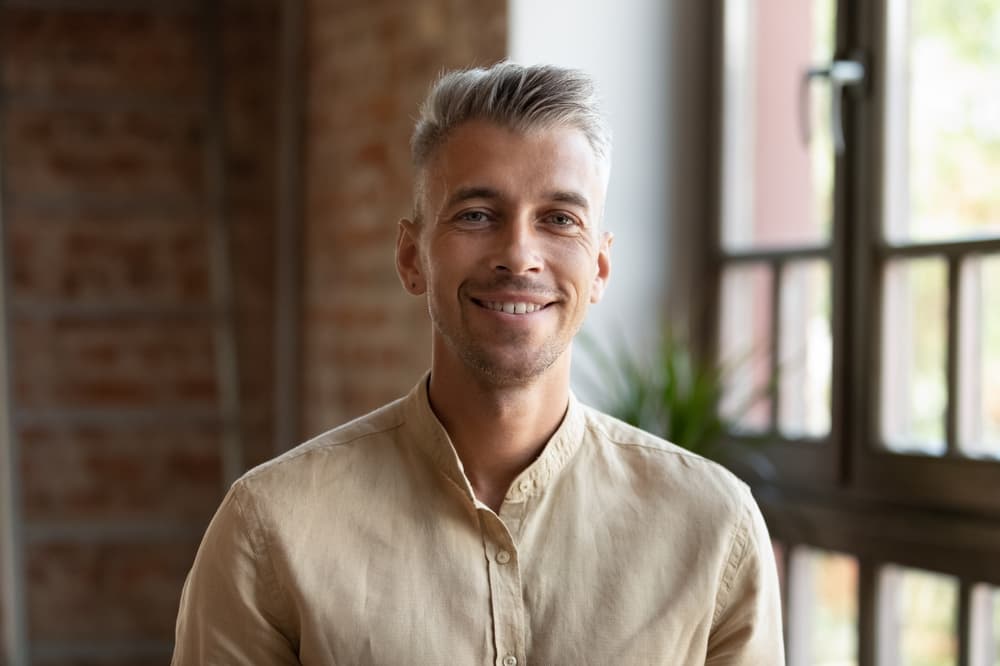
(747, 626)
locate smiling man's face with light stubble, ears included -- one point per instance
(507, 248)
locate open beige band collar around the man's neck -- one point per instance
(433, 440)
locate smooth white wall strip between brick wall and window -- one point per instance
(623, 45)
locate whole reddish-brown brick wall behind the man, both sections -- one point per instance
(109, 204)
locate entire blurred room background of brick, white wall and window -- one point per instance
(199, 203)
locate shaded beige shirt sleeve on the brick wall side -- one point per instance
(231, 609)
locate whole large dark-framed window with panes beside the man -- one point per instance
(857, 260)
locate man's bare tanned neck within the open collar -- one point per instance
(497, 431)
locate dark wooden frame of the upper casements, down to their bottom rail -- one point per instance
(851, 458)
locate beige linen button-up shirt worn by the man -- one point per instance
(366, 545)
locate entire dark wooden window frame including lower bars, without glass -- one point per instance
(846, 492)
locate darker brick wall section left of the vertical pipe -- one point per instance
(111, 132)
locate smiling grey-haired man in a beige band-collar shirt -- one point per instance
(489, 517)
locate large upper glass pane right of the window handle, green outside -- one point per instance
(942, 119)
